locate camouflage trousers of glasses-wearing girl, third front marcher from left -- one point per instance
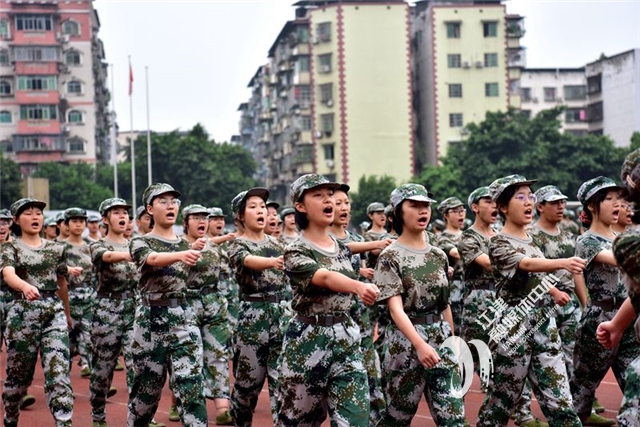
(166, 339)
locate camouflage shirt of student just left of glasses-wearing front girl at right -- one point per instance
(470, 246)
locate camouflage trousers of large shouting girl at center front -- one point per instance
(322, 370)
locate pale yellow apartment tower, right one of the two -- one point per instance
(467, 60)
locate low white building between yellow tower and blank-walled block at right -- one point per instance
(544, 88)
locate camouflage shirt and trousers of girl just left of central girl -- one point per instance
(264, 312)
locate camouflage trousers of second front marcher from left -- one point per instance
(111, 330)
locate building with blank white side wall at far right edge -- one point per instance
(613, 96)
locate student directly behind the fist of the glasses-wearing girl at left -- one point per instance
(210, 307)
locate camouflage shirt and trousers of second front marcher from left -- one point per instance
(112, 322)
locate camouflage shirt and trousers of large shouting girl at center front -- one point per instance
(322, 363)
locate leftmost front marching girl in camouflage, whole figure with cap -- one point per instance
(38, 319)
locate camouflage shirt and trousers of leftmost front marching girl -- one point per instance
(38, 326)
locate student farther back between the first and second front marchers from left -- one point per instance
(81, 291)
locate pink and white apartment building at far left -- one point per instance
(53, 95)
